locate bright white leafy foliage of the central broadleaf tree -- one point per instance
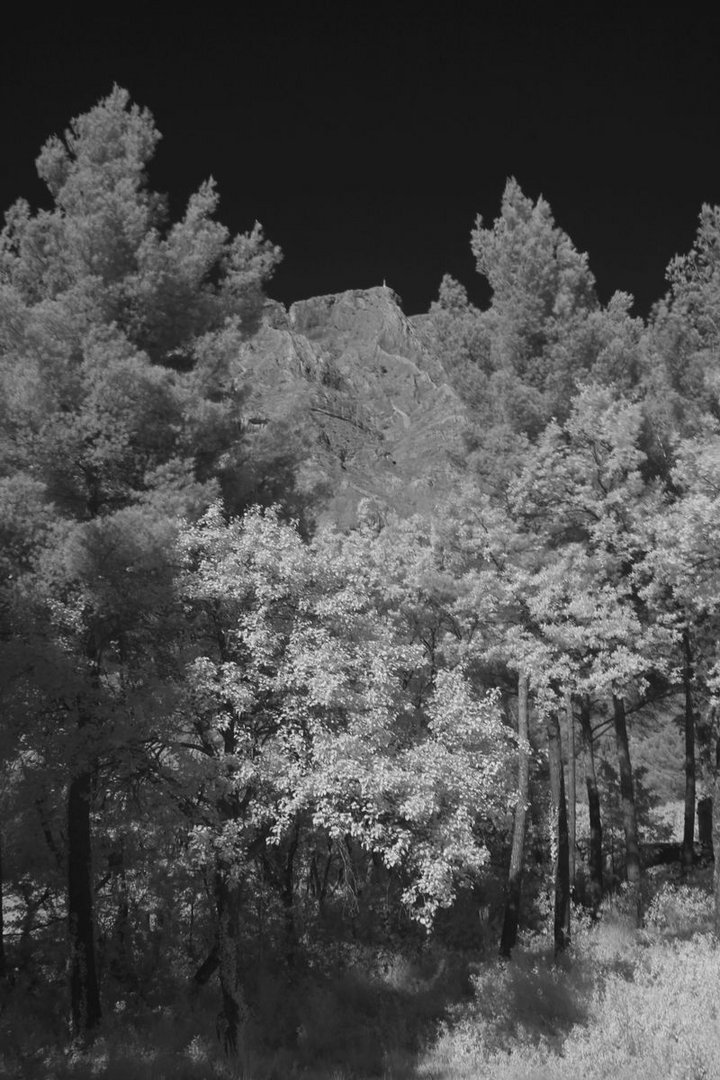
(329, 685)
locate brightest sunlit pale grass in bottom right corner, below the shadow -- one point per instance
(660, 1024)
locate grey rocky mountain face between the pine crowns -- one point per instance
(379, 418)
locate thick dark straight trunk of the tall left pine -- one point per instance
(85, 994)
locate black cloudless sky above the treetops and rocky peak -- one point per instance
(366, 139)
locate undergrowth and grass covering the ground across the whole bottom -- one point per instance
(622, 1003)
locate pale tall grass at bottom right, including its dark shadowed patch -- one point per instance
(627, 1004)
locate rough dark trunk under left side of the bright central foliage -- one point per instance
(234, 1015)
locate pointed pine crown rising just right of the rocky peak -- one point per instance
(546, 330)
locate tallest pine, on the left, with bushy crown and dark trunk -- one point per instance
(118, 417)
